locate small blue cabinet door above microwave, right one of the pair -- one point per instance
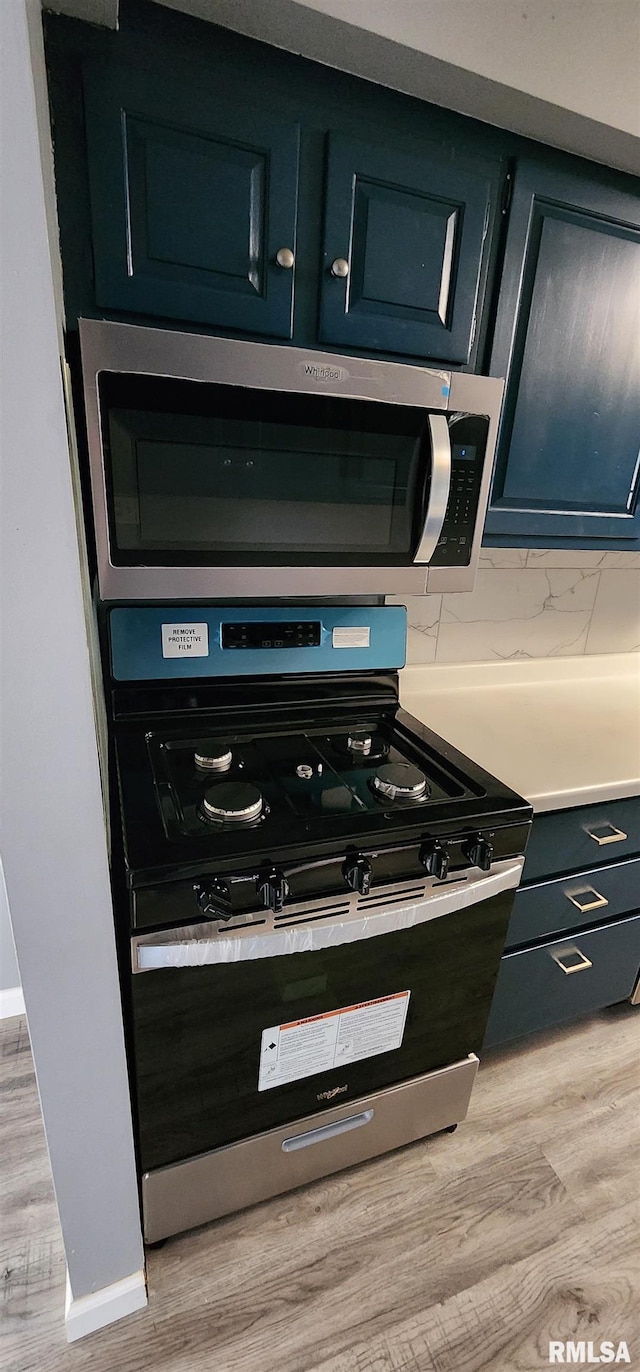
(411, 230)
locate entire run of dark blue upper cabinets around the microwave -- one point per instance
(212, 180)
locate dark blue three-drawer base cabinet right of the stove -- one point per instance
(573, 943)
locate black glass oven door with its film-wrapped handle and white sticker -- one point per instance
(236, 1037)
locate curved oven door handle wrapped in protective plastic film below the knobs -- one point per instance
(197, 946)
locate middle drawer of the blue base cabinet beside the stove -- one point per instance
(575, 902)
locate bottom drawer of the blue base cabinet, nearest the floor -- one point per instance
(561, 980)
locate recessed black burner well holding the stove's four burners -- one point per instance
(215, 785)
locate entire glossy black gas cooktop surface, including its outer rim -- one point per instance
(223, 784)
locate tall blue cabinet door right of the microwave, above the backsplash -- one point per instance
(568, 340)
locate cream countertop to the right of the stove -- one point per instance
(562, 732)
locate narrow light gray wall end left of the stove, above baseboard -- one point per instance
(52, 818)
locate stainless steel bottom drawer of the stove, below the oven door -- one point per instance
(240, 1175)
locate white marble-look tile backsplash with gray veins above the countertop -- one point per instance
(531, 603)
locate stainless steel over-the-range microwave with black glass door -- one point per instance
(223, 469)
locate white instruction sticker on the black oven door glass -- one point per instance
(336, 1039)
